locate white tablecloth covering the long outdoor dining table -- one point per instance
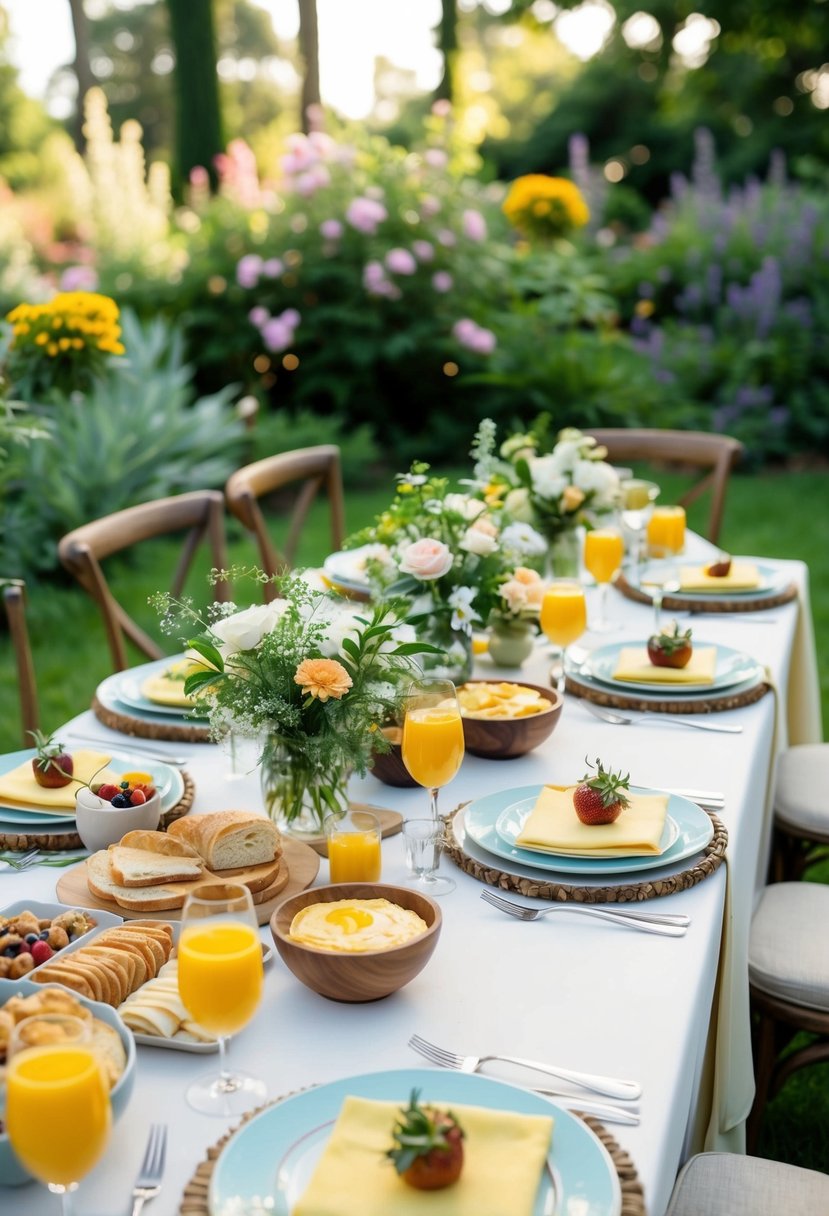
(672, 1014)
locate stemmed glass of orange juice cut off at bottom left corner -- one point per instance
(58, 1101)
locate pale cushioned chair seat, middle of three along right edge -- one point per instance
(788, 947)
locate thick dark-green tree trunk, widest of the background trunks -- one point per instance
(199, 115)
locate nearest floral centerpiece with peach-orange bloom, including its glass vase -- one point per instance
(313, 675)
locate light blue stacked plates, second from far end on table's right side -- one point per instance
(735, 673)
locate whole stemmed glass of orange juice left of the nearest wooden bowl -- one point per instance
(221, 984)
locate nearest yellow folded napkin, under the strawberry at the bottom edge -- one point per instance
(504, 1157)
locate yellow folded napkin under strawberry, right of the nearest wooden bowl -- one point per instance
(554, 826)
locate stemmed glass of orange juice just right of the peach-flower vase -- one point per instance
(433, 736)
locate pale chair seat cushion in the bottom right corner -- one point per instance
(729, 1185)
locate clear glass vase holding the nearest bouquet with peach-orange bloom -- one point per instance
(297, 796)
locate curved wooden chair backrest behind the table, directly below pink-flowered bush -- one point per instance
(317, 469)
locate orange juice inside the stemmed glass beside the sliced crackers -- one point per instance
(221, 975)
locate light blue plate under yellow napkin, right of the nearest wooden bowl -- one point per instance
(495, 820)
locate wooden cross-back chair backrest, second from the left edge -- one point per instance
(201, 513)
